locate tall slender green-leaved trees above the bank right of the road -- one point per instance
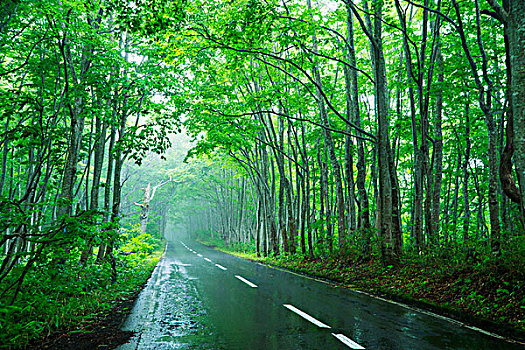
(326, 76)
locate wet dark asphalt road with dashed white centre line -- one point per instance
(198, 298)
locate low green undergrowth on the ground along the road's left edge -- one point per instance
(68, 298)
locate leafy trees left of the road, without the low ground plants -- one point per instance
(66, 83)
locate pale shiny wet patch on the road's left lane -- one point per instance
(169, 314)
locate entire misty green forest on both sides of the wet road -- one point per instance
(380, 134)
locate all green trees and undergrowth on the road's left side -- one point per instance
(77, 107)
